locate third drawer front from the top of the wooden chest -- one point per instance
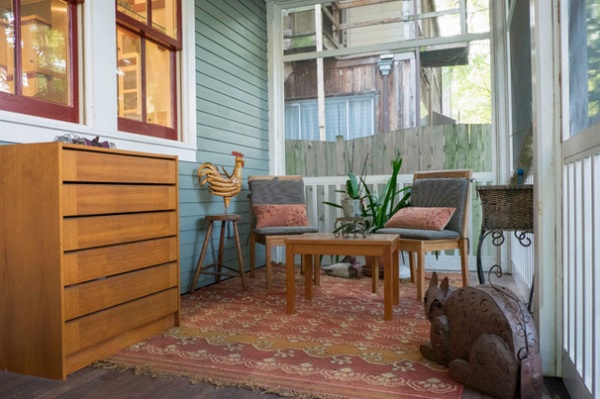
(97, 231)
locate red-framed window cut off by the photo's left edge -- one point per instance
(40, 77)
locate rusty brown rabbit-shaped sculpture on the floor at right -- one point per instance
(486, 337)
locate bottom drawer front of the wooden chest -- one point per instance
(87, 331)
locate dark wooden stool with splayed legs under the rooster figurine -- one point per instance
(219, 266)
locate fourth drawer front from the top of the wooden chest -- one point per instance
(90, 264)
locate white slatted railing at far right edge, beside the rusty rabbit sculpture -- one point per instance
(581, 271)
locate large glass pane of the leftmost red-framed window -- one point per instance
(45, 55)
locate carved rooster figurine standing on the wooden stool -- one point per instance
(223, 184)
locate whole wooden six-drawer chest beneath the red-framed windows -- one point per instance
(89, 254)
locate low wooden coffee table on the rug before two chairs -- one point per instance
(316, 244)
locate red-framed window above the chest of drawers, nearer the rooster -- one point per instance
(148, 47)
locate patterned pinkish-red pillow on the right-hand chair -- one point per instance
(421, 218)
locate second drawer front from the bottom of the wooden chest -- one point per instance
(86, 298)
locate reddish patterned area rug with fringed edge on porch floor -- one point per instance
(336, 346)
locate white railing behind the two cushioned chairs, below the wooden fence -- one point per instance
(319, 189)
